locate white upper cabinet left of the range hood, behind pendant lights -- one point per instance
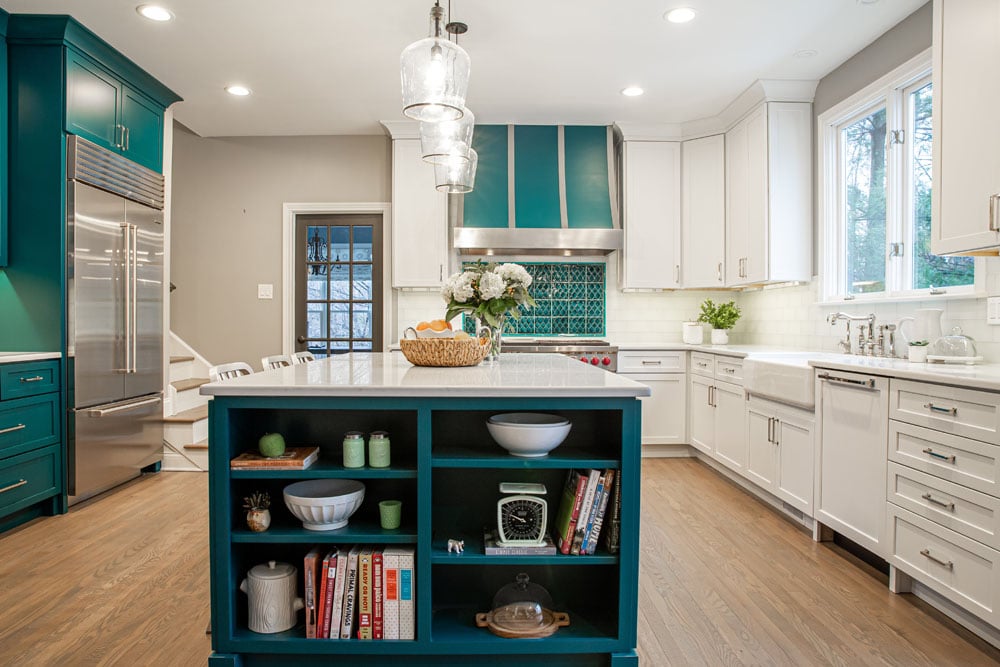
(419, 220)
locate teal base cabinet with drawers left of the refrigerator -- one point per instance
(31, 453)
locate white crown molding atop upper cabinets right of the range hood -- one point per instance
(762, 90)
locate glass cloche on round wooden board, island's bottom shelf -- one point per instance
(522, 610)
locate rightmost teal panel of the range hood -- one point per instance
(588, 202)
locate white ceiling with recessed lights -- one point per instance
(321, 67)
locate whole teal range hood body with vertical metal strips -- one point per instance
(554, 176)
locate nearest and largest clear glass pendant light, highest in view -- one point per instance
(435, 75)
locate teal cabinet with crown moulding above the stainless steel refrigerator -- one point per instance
(109, 100)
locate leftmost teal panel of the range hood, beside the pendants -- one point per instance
(486, 205)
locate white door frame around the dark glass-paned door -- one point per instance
(288, 213)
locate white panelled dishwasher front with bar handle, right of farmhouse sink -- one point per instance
(851, 471)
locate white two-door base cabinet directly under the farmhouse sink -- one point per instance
(781, 451)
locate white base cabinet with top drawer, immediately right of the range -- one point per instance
(664, 412)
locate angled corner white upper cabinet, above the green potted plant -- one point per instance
(703, 212)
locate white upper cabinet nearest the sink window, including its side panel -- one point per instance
(769, 218)
